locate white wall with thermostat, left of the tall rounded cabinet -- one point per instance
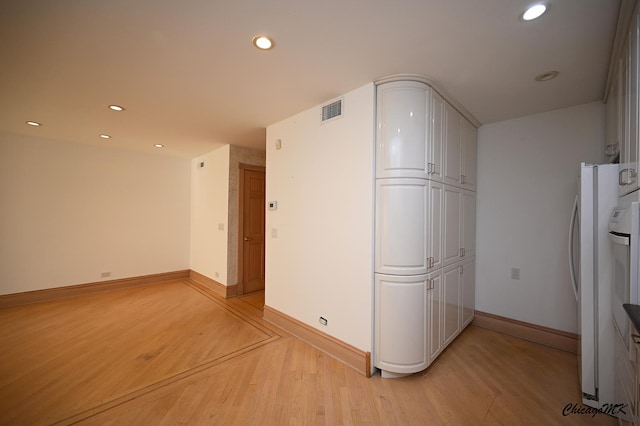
(321, 263)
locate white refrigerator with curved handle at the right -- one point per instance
(591, 266)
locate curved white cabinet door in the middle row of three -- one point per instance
(401, 226)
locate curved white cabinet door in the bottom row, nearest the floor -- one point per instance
(401, 314)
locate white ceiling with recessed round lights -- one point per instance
(189, 77)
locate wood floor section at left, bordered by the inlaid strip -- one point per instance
(82, 352)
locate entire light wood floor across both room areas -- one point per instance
(174, 354)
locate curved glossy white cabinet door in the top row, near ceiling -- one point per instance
(401, 134)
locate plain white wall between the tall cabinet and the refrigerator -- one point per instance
(527, 180)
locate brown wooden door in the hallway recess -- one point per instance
(253, 197)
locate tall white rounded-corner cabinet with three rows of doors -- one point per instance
(424, 226)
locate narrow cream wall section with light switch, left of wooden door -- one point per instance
(209, 214)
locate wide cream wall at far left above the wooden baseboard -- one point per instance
(69, 212)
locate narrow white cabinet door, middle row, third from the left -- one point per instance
(451, 213)
